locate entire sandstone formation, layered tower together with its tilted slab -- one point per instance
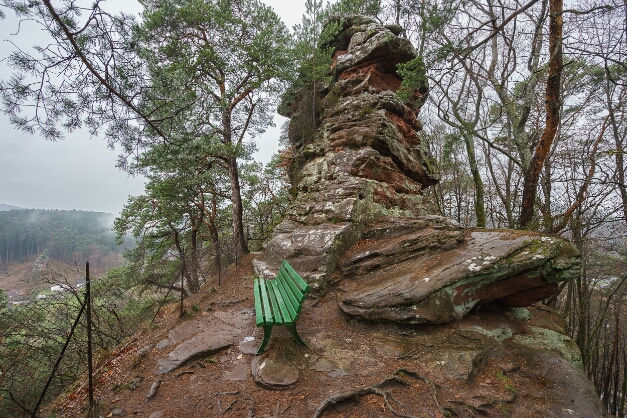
(358, 169)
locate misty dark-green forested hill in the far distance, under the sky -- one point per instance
(60, 233)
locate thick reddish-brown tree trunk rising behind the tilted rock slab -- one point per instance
(552, 104)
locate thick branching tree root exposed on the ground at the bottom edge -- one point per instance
(377, 389)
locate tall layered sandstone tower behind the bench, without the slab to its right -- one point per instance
(362, 160)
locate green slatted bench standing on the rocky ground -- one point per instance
(279, 301)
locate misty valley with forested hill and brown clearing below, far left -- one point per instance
(36, 241)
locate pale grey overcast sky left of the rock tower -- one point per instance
(79, 172)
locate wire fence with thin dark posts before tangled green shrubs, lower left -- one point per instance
(48, 344)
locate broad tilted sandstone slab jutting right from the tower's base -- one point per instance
(428, 270)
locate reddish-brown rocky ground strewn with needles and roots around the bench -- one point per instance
(494, 363)
